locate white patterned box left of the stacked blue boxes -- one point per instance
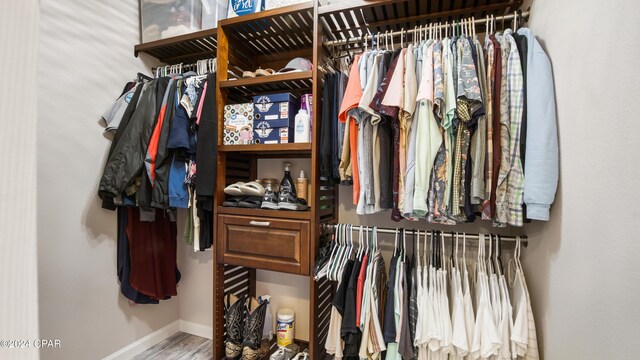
(238, 124)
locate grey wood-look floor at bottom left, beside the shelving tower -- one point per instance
(181, 346)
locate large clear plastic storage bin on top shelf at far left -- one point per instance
(161, 19)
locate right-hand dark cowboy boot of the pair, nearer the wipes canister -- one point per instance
(254, 346)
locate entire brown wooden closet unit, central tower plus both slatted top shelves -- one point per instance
(270, 39)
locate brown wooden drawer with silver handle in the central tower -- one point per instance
(264, 243)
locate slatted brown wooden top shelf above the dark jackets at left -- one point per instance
(184, 48)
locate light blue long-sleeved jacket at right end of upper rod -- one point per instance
(541, 167)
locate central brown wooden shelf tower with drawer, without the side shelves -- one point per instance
(284, 241)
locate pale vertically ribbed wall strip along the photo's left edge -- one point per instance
(18, 120)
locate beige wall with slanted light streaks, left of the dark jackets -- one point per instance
(86, 56)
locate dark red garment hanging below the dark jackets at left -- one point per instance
(153, 255)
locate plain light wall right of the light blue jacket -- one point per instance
(583, 267)
